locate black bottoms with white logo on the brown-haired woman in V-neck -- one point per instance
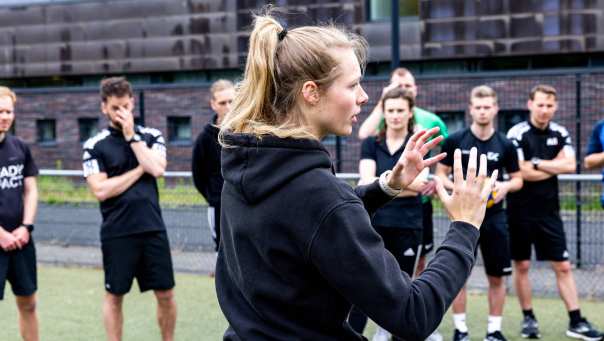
(403, 244)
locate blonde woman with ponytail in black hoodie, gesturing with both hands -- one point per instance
(297, 246)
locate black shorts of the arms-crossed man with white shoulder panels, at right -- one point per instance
(545, 232)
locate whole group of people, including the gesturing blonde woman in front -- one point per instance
(301, 255)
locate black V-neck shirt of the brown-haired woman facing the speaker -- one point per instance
(403, 212)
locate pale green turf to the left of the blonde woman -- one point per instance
(69, 305)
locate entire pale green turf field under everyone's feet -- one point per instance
(70, 309)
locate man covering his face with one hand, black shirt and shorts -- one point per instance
(121, 164)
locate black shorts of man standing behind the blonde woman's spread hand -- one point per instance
(495, 245)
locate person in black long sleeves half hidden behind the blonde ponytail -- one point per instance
(205, 164)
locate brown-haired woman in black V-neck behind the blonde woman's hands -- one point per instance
(398, 222)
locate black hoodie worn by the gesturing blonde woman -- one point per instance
(298, 249)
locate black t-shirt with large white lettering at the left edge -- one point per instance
(16, 164)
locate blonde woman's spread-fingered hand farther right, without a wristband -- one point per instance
(468, 202)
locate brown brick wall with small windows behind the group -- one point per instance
(437, 95)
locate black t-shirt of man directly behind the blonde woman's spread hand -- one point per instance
(500, 152)
